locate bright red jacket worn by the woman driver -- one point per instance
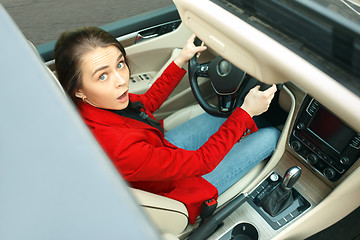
(149, 162)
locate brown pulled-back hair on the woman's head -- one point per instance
(69, 49)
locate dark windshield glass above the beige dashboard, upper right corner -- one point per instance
(324, 32)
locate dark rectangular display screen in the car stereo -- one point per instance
(331, 130)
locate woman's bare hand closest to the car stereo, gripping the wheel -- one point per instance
(257, 102)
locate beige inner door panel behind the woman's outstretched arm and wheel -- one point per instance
(153, 56)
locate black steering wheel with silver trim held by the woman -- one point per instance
(230, 83)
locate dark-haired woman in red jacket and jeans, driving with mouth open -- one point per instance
(93, 69)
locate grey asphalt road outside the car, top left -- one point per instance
(43, 20)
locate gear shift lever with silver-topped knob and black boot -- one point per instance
(277, 197)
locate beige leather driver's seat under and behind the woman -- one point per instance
(168, 215)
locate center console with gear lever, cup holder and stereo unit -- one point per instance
(322, 143)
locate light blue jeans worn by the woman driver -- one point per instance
(242, 157)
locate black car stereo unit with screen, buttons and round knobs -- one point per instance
(324, 141)
